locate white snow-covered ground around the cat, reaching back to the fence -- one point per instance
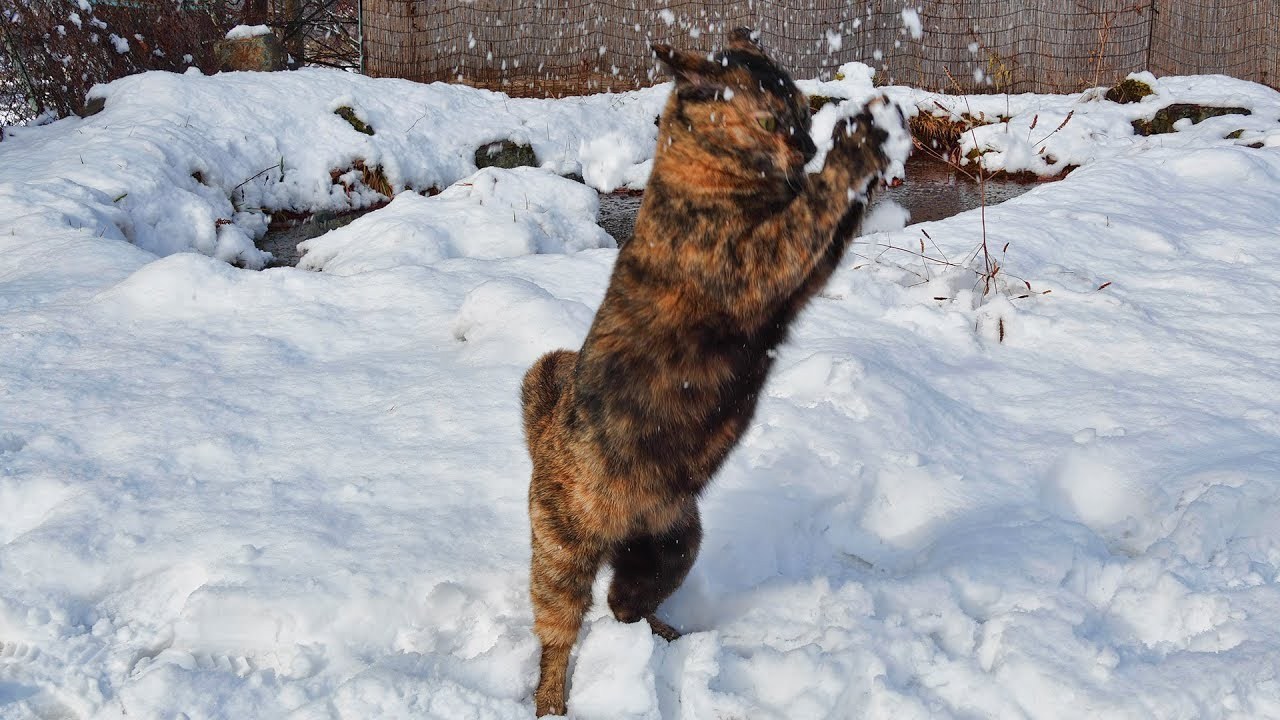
(291, 494)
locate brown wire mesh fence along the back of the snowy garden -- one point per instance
(552, 48)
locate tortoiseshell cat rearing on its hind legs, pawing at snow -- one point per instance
(732, 241)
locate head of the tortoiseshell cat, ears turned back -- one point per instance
(739, 107)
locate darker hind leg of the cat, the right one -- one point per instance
(648, 568)
